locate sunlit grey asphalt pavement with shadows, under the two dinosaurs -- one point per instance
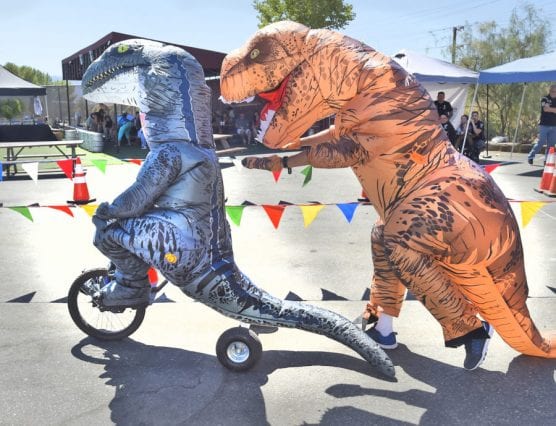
(168, 373)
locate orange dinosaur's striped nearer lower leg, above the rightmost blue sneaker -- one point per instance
(429, 282)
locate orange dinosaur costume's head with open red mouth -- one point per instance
(279, 63)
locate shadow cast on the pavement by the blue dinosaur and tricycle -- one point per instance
(176, 386)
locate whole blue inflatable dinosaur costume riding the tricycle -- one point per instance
(173, 216)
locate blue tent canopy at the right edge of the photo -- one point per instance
(527, 70)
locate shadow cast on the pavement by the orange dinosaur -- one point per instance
(523, 395)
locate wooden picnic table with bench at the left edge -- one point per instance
(13, 152)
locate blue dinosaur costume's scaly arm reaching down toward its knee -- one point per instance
(157, 173)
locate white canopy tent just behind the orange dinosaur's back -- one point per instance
(437, 75)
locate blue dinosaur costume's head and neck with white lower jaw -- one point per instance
(165, 82)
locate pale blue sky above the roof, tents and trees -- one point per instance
(40, 33)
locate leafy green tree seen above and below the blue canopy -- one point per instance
(487, 45)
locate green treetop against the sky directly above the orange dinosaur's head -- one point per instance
(332, 14)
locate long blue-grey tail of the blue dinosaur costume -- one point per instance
(225, 289)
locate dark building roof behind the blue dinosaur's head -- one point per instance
(74, 66)
